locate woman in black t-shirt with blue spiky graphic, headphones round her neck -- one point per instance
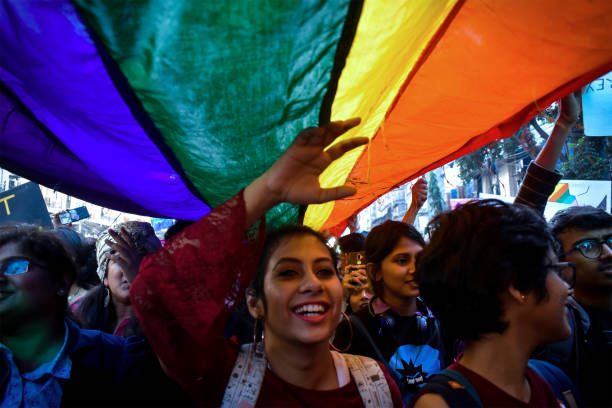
(395, 327)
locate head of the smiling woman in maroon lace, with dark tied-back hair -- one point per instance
(296, 278)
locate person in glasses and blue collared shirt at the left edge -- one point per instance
(46, 360)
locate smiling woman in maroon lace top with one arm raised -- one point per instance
(185, 293)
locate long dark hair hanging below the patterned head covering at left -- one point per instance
(92, 314)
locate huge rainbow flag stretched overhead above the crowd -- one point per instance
(168, 108)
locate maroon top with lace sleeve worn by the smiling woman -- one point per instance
(186, 291)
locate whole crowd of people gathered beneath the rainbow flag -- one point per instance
(495, 307)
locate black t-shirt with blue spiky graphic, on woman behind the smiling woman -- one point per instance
(411, 345)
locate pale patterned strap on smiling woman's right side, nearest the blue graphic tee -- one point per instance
(370, 380)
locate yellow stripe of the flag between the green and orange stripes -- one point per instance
(390, 37)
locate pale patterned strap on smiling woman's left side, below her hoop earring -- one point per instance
(245, 382)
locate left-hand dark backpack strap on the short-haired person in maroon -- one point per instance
(454, 388)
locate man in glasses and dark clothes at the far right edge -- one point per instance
(585, 235)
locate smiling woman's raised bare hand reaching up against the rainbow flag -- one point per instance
(294, 178)
